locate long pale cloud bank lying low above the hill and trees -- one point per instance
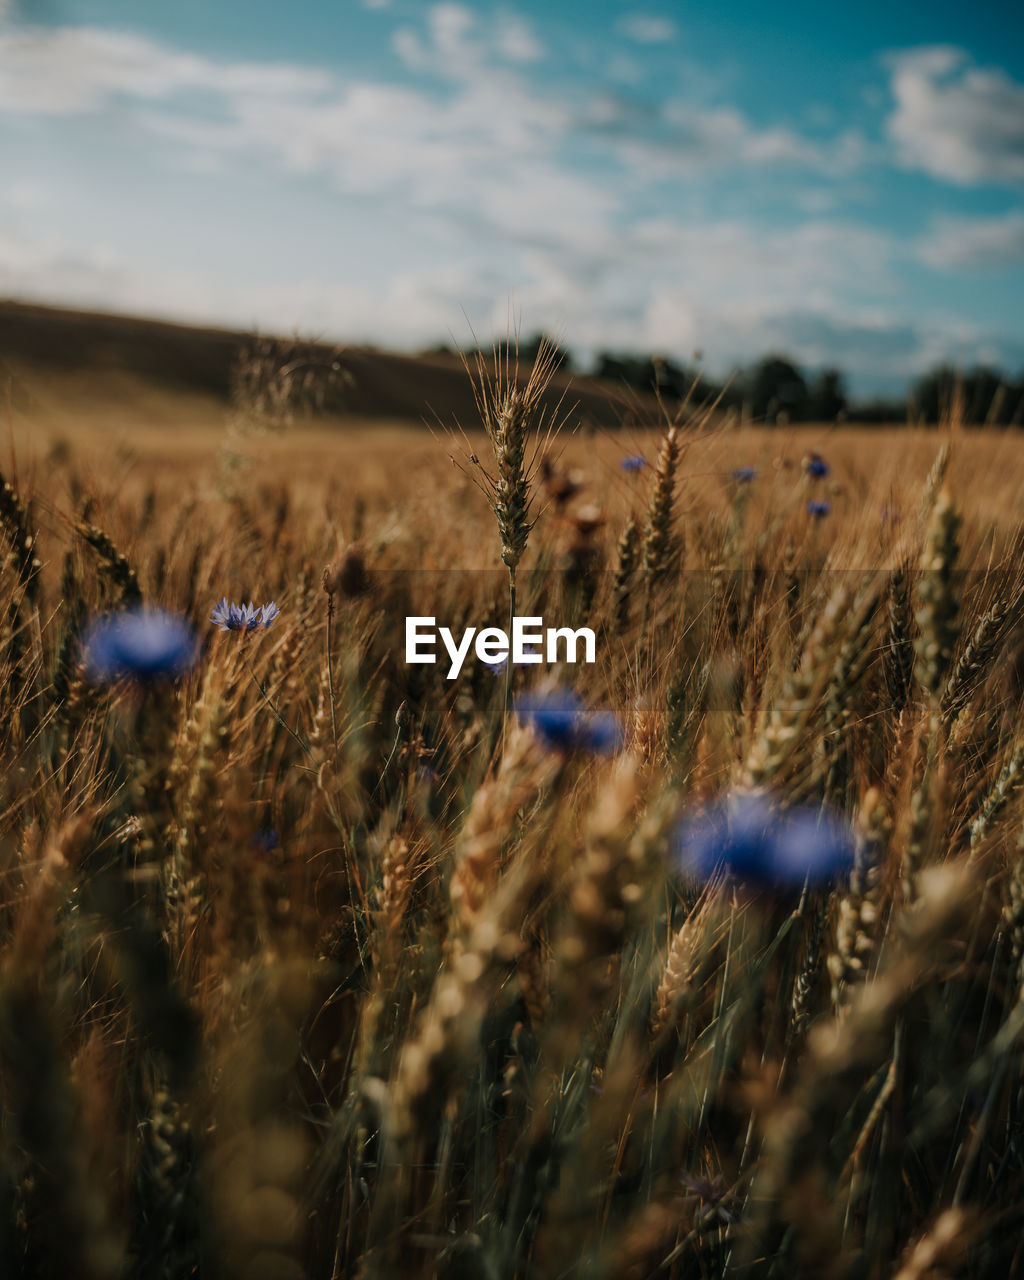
(725, 286)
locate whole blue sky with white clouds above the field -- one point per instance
(840, 184)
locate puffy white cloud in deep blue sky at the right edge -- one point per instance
(956, 121)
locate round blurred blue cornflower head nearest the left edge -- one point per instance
(140, 644)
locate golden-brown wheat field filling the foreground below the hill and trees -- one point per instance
(314, 963)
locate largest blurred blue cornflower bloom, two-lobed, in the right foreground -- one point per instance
(751, 838)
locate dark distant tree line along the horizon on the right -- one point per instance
(775, 390)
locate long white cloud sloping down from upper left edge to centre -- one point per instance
(490, 148)
